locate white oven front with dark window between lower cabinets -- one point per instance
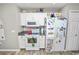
(32, 43)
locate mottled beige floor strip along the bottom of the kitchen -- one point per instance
(40, 52)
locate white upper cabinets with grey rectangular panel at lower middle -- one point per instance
(32, 19)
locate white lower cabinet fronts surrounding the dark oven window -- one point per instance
(23, 43)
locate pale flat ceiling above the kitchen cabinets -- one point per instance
(40, 5)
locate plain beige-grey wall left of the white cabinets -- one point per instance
(9, 15)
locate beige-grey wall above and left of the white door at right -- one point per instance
(65, 10)
